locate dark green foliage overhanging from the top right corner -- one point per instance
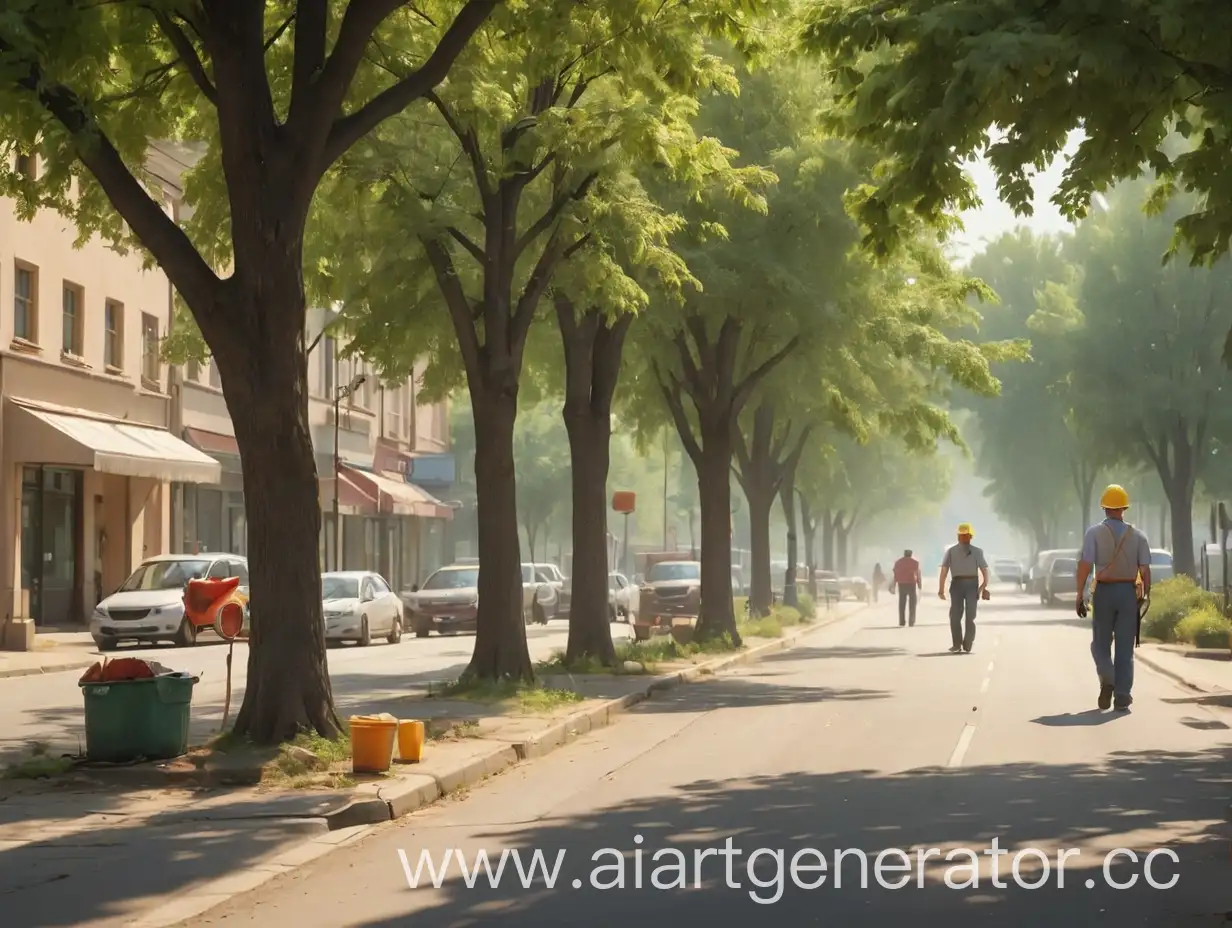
(925, 81)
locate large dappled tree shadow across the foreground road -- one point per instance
(1050, 808)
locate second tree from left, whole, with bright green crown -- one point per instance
(498, 199)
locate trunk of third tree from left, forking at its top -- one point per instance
(593, 351)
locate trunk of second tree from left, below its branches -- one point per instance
(501, 651)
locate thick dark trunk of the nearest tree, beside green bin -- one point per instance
(267, 394)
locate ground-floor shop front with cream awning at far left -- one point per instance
(94, 501)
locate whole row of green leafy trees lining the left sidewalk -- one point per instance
(641, 185)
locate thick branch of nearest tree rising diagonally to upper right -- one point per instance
(394, 100)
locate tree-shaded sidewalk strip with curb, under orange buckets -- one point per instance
(177, 841)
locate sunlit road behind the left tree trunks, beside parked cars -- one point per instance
(49, 708)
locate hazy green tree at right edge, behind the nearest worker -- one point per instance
(1150, 384)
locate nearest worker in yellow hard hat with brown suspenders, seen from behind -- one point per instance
(1119, 555)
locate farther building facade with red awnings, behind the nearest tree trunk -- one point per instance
(392, 462)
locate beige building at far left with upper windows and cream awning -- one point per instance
(88, 455)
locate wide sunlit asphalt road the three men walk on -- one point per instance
(865, 739)
